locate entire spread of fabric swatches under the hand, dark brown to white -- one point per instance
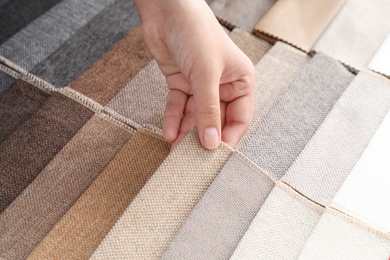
(85, 171)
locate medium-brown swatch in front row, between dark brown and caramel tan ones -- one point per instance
(38, 208)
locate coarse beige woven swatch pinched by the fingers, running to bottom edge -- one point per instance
(152, 219)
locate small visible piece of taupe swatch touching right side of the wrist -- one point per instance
(252, 46)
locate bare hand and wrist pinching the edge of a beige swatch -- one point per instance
(210, 80)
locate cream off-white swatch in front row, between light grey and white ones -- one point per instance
(281, 227)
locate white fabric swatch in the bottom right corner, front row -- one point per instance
(337, 238)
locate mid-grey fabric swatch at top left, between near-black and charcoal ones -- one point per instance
(44, 35)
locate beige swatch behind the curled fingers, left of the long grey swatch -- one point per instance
(274, 73)
